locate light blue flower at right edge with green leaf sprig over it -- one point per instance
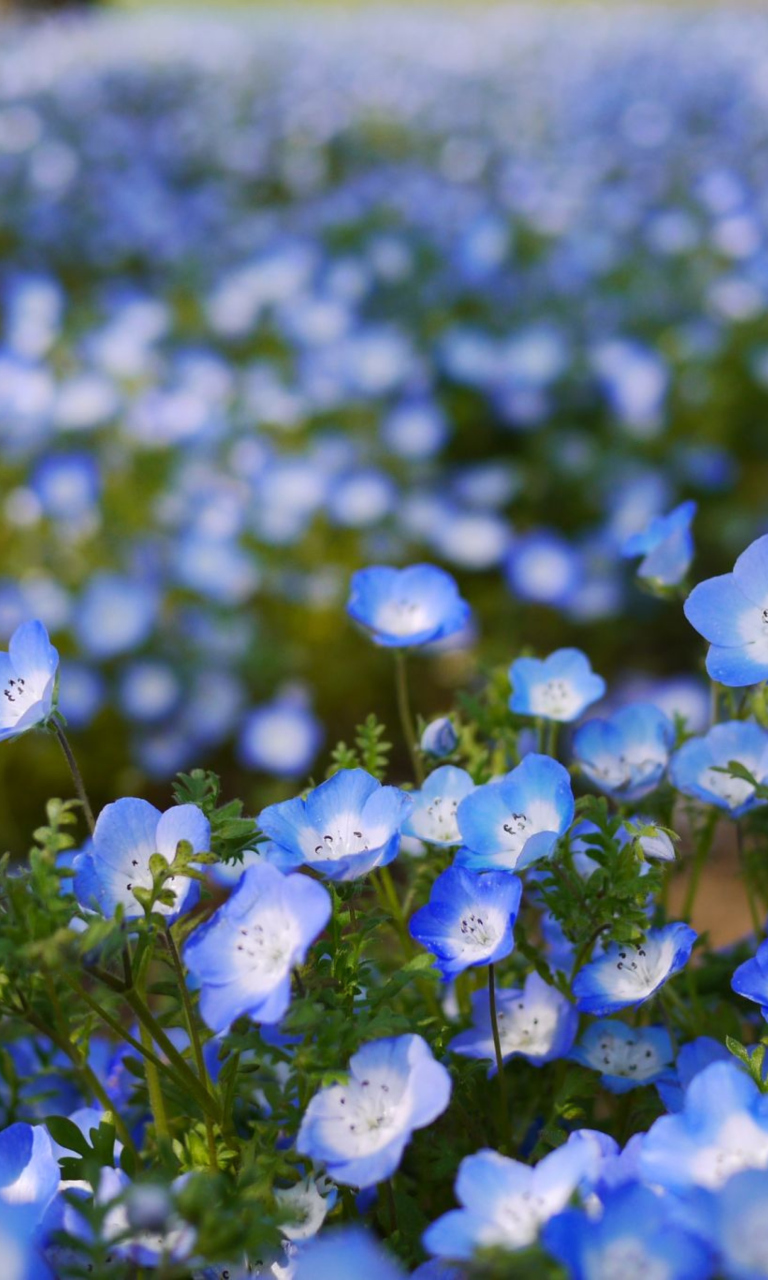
(696, 767)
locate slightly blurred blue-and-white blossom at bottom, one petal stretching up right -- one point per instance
(505, 1204)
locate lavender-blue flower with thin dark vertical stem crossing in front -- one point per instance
(537, 1023)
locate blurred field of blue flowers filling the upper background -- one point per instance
(289, 292)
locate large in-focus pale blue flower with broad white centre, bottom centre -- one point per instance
(359, 1131)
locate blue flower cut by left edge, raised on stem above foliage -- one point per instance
(28, 680)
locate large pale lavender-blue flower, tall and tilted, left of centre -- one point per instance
(244, 956)
